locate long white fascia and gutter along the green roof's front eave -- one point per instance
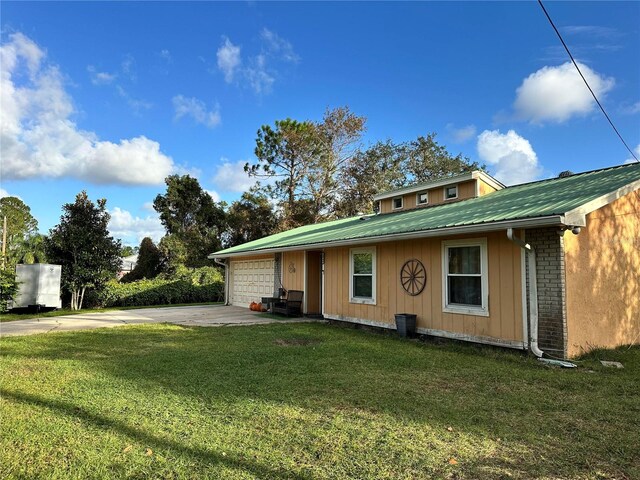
(438, 232)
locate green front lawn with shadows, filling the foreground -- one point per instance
(306, 401)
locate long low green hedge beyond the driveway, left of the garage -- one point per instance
(159, 292)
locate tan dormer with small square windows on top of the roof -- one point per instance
(436, 192)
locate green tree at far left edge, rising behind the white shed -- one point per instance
(23, 241)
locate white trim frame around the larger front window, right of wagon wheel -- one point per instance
(483, 310)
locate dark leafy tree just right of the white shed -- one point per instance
(82, 245)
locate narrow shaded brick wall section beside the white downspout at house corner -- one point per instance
(550, 277)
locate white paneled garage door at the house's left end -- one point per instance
(250, 280)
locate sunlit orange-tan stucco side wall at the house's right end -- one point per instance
(603, 278)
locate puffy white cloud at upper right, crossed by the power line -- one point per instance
(559, 93)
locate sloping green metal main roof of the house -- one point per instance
(546, 198)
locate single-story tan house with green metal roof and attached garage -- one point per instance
(552, 266)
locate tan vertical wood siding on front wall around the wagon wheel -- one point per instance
(505, 288)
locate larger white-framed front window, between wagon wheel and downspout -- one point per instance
(465, 278)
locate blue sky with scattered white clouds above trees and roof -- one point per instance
(111, 97)
